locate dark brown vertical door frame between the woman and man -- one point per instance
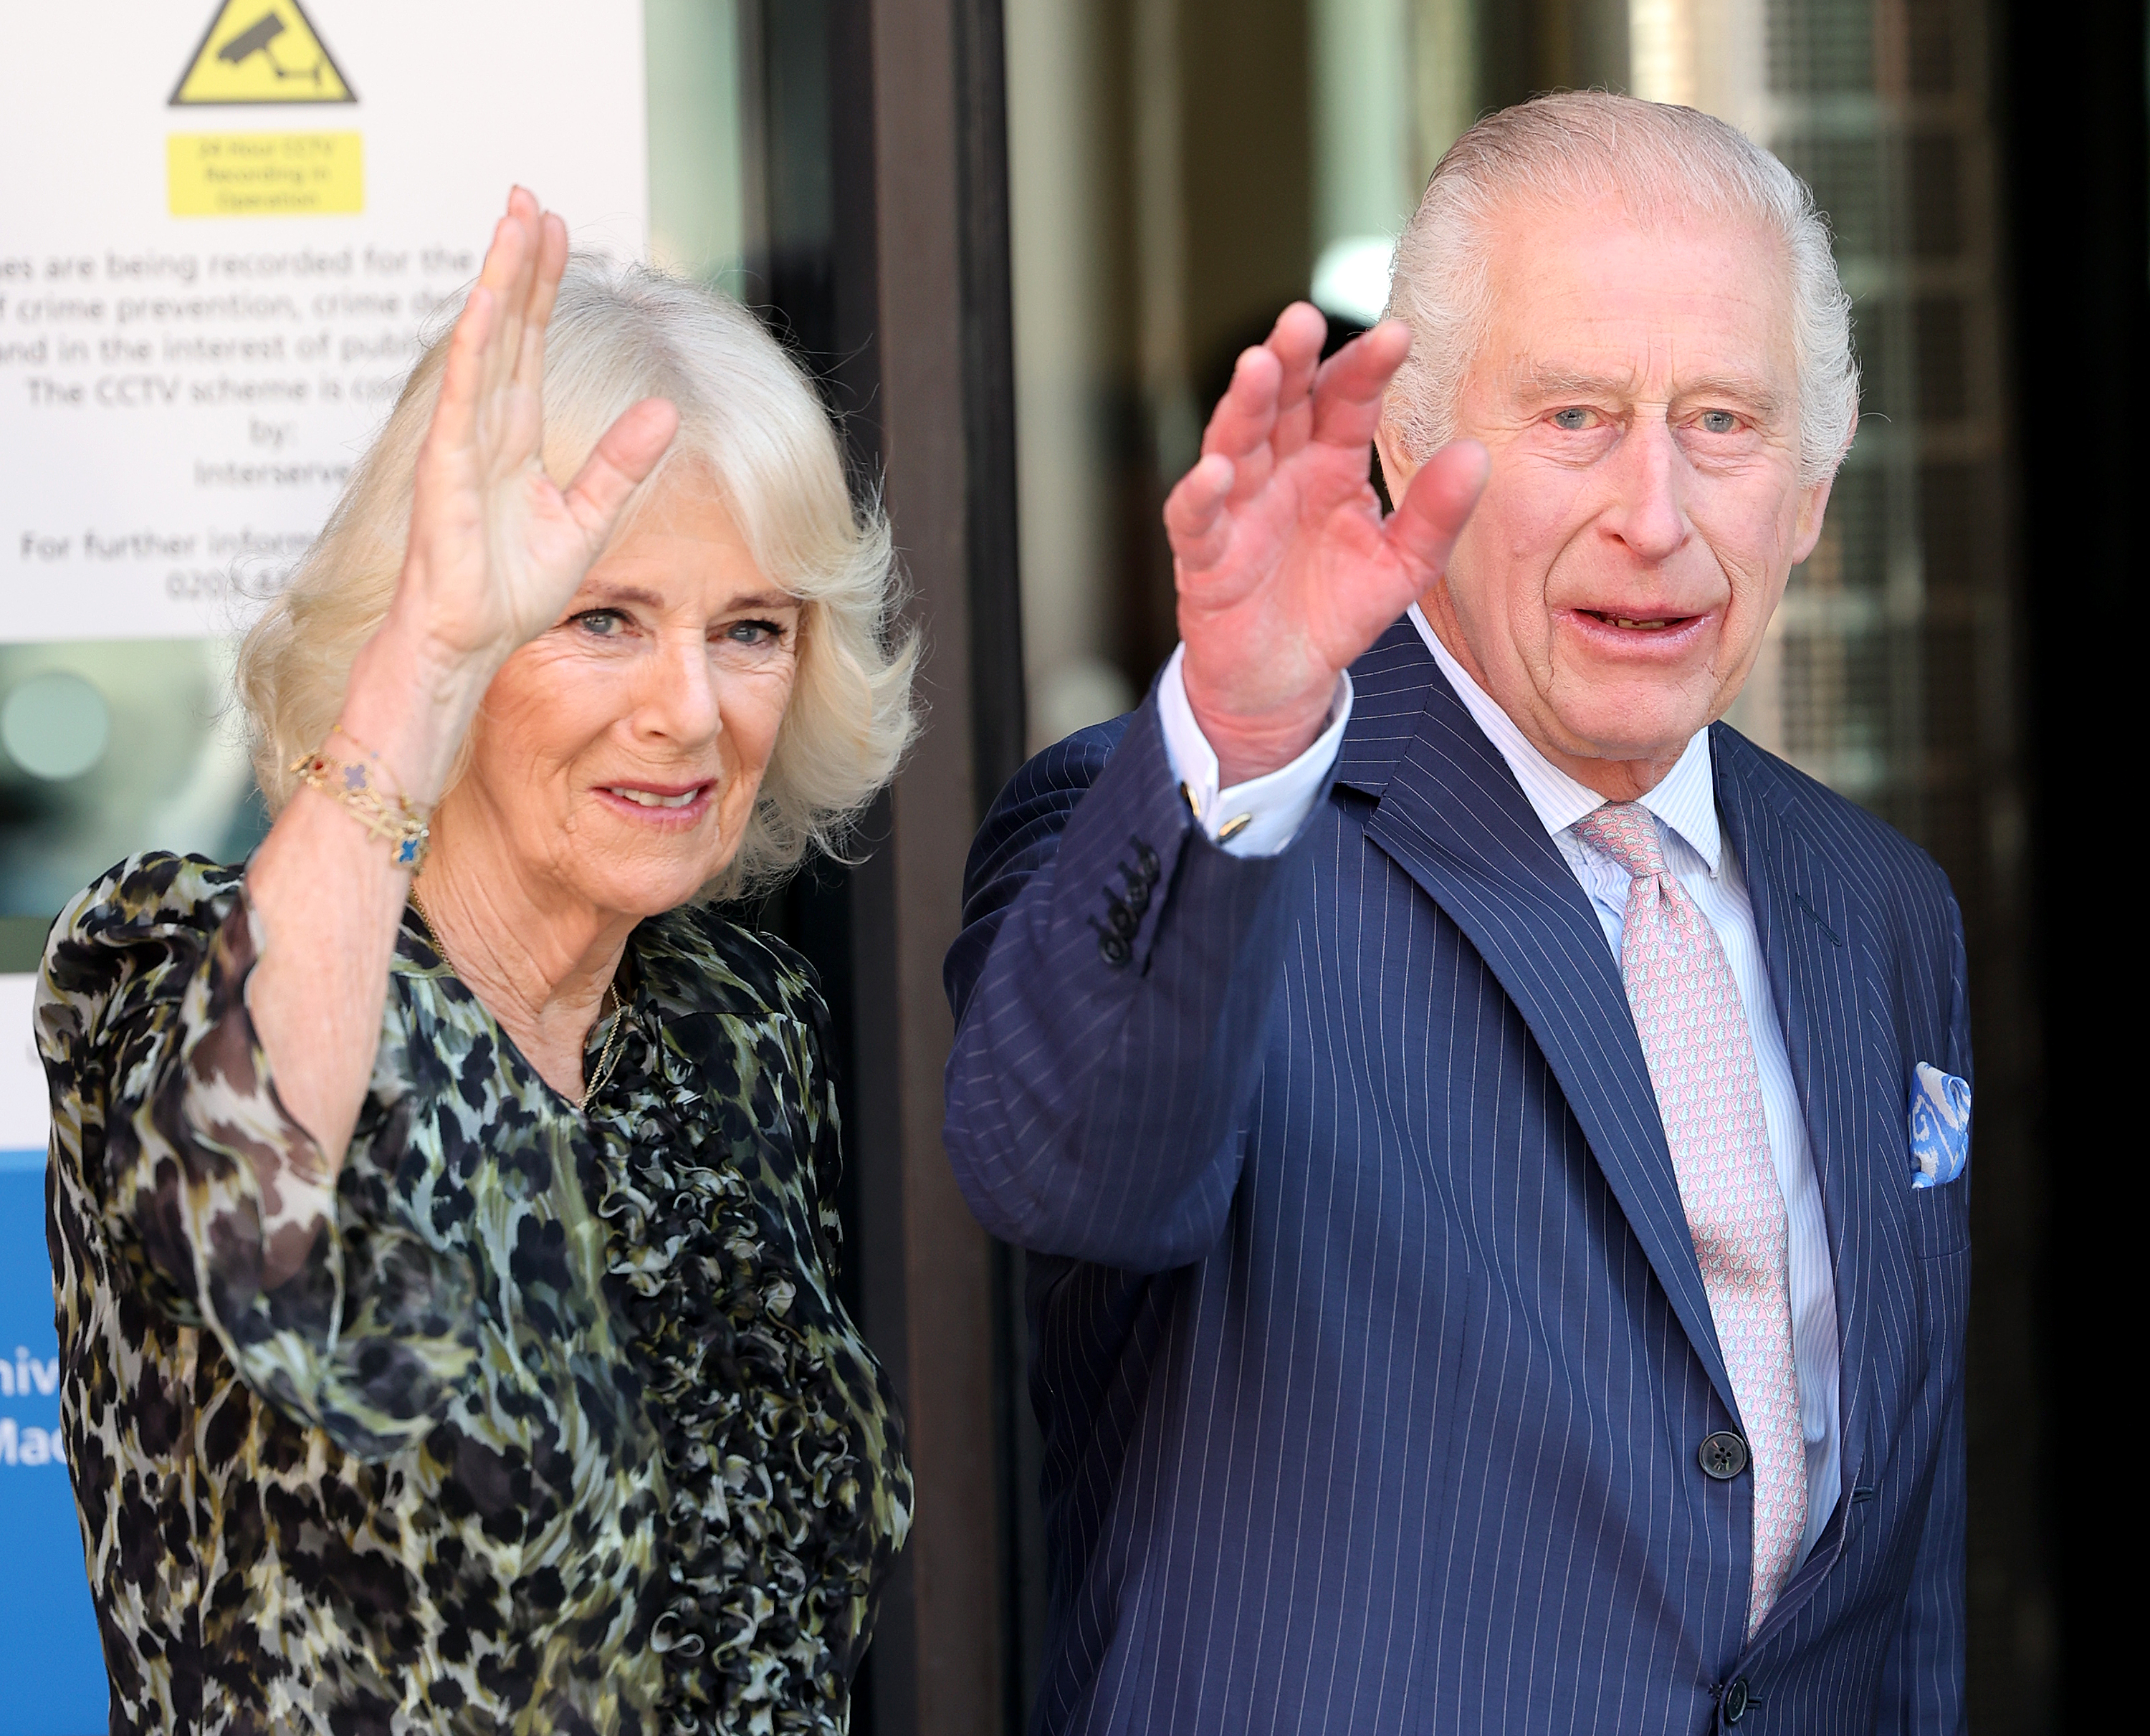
(900, 300)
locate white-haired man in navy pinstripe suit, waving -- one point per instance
(1487, 1133)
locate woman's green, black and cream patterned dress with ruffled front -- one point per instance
(532, 1421)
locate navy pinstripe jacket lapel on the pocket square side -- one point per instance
(1814, 940)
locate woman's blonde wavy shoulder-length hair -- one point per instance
(747, 416)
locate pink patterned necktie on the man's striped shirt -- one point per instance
(1702, 1062)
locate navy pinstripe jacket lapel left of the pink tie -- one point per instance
(1452, 818)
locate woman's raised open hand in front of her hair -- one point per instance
(496, 547)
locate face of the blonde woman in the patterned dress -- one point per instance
(618, 755)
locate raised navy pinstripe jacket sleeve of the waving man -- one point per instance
(1110, 989)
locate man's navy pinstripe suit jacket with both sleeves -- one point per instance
(1368, 1340)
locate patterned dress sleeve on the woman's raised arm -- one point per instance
(171, 1133)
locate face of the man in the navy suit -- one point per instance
(1639, 396)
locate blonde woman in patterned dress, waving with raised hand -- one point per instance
(444, 1202)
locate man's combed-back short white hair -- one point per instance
(1663, 162)
